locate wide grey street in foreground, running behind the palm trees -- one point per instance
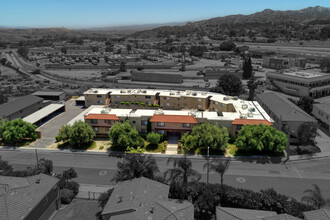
(291, 179)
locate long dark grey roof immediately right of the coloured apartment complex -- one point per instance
(283, 108)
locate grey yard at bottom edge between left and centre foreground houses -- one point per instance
(78, 210)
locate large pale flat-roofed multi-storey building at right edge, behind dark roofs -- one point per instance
(300, 83)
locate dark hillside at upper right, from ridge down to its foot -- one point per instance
(267, 23)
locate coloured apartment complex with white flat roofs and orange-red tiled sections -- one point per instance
(178, 111)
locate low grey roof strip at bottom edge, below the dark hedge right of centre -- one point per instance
(224, 213)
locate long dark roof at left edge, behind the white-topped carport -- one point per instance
(18, 104)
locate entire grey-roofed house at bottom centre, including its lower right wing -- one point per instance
(142, 198)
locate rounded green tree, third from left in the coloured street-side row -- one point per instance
(123, 135)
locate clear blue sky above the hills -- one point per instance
(106, 13)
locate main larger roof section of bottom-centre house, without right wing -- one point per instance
(133, 199)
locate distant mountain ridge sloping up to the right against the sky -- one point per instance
(265, 18)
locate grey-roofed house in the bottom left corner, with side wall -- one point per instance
(29, 198)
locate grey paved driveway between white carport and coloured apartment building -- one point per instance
(50, 129)
